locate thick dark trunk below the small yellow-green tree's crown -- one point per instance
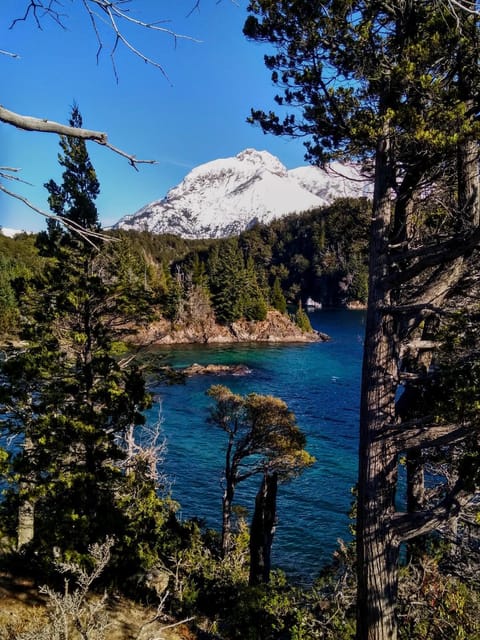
(262, 530)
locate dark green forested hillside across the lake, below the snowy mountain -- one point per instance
(320, 255)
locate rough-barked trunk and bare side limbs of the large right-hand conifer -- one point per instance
(408, 288)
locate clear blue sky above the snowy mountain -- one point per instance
(196, 115)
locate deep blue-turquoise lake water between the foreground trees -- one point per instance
(321, 384)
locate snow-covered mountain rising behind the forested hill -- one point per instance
(226, 196)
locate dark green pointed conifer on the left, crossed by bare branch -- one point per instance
(65, 396)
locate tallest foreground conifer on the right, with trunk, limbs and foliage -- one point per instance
(394, 84)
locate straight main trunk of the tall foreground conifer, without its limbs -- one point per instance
(377, 548)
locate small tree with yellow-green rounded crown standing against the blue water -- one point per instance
(264, 439)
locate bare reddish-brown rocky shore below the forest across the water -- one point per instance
(277, 327)
